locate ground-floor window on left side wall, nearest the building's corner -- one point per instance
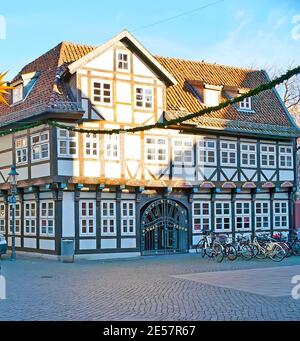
(47, 218)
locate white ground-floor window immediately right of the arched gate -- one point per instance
(201, 216)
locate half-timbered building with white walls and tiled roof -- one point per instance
(232, 171)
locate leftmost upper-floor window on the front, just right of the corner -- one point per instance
(67, 143)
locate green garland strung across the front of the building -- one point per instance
(263, 87)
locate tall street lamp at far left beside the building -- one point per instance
(12, 180)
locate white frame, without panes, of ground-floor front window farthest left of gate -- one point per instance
(87, 218)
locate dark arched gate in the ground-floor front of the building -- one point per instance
(164, 227)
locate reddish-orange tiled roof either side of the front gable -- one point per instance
(49, 89)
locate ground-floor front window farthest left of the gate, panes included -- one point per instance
(87, 218)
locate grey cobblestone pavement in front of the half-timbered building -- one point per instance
(146, 288)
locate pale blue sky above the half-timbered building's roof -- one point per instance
(249, 33)
